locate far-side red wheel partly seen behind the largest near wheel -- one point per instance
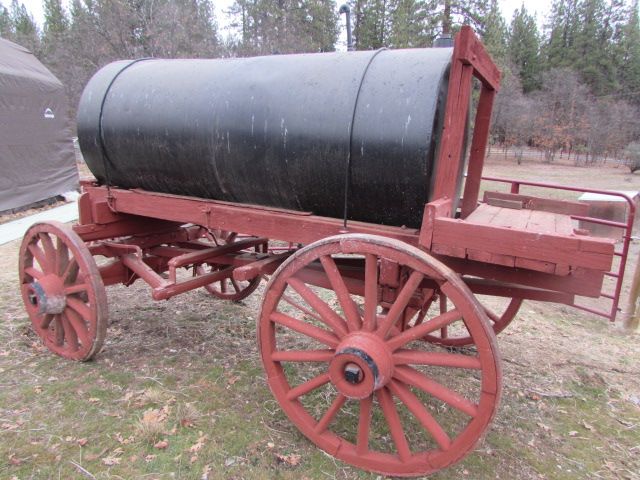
(500, 312)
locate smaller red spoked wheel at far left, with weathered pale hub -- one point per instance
(62, 291)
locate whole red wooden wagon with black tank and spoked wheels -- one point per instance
(341, 177)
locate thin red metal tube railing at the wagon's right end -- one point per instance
(621, 252)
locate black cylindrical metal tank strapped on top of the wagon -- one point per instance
(300, 132)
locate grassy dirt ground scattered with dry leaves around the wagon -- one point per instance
(178, 390)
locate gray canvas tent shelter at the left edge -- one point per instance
(37, 158)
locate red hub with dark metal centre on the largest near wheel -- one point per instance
(361, 365)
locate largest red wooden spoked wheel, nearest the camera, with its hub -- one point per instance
(365, 391)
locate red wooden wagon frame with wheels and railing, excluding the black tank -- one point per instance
(384, 307)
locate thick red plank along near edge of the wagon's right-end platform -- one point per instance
(536, 246)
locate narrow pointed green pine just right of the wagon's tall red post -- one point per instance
(524, 48)
